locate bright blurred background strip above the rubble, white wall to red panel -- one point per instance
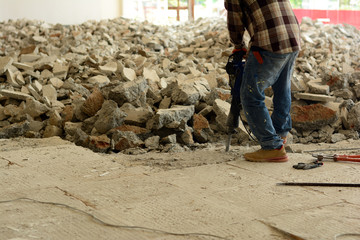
(162, 11)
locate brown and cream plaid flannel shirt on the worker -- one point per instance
(271, 24)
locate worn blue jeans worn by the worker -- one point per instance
(275, 71)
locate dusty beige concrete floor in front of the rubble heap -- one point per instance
(52, 189)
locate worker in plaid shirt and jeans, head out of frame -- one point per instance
(274, 45)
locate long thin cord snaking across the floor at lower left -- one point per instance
(99, 221)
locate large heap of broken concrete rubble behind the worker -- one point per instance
(125, 86)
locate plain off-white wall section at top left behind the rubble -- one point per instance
(60, 11)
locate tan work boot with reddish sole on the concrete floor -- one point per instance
(267, 155)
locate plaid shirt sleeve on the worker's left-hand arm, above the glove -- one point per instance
(234, 23)
